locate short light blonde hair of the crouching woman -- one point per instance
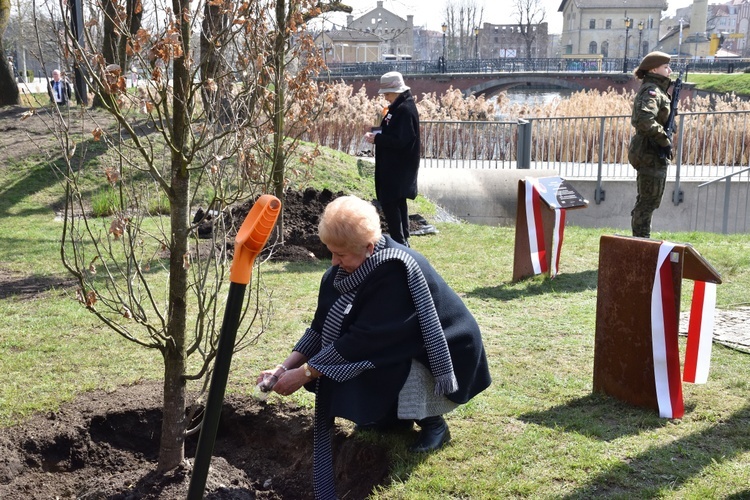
(349, 222)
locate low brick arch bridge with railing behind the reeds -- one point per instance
(490, 84)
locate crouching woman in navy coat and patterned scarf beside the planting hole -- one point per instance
(390, 342)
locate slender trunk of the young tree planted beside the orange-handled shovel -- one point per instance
(174, 424)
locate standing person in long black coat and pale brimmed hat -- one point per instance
(396, 155)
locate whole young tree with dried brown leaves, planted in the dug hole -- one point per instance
(132, 228)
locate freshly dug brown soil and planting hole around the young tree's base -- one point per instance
(105, 446)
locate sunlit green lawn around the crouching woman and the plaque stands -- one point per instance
(537, 432)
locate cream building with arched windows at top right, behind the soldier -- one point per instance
(602, 27)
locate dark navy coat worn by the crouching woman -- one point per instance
(382, 328)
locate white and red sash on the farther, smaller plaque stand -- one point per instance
(535, 227)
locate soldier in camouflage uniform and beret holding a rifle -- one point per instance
(650, 148)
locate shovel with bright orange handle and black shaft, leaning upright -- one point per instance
(250, 240)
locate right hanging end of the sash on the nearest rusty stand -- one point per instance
(700, 333)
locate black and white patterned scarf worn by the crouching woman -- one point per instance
(334, 366)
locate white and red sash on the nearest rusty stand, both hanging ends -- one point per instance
(664, 336)
